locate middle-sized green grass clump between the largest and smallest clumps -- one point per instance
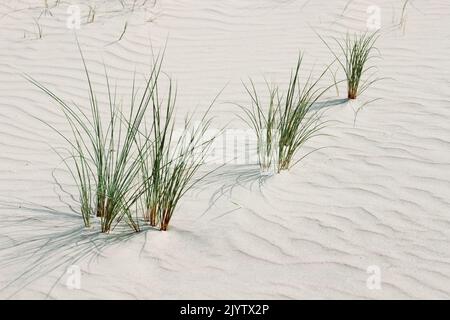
(289, 118)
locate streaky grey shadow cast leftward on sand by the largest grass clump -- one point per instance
(38, 241)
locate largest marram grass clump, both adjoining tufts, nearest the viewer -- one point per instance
(119, 161)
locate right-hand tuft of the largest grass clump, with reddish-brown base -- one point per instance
(174, 158)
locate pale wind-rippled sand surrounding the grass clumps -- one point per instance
(376, 197)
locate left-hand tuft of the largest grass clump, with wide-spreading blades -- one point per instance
(103, 152)
